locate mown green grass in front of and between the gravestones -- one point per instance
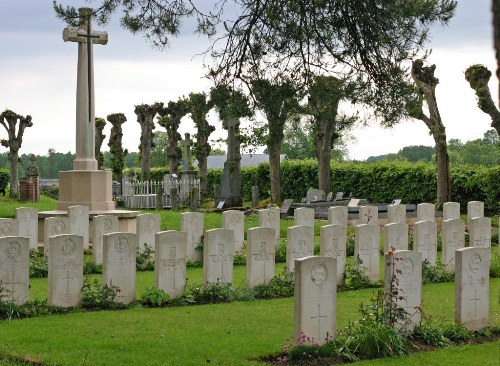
(237, 333)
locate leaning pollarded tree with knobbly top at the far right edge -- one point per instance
(478, 77)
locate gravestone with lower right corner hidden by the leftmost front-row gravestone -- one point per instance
(299, 244)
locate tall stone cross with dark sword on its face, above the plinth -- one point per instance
(85, 109)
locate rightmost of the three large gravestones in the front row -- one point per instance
(472, 287)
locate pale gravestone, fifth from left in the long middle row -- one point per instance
(218, 249)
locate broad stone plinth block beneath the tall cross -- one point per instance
(91, 188)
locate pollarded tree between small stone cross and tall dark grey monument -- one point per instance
(199, 107)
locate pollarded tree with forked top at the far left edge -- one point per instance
(9, 120)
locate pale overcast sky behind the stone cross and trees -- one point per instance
(38, 77)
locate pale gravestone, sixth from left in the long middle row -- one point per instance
(260, 255)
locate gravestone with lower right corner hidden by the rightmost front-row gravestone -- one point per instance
(453, 238)
